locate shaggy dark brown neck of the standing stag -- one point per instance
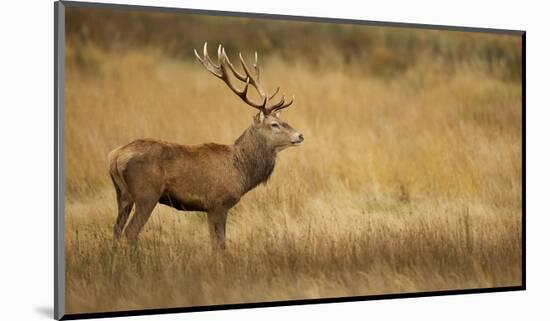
(254, 158)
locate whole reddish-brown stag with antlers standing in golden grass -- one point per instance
(208, 177)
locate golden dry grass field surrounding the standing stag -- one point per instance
(406, 184)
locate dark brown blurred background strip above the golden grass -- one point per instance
(369, 50)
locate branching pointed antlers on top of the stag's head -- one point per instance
(220, 71)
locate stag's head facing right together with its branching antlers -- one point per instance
(267, 122)
